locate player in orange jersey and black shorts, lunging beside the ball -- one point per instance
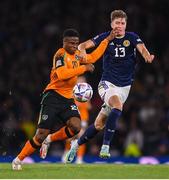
(57, 103)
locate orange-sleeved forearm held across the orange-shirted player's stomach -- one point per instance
(64, 73)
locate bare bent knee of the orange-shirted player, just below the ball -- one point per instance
(75, 125)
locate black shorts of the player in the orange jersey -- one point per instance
(56, 109)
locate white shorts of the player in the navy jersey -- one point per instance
(107, 90)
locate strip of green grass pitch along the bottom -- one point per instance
(85, 171)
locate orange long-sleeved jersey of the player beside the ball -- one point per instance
(66, 68)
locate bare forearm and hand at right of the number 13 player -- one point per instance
(145, 53)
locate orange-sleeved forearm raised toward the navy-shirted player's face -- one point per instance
(98, 52)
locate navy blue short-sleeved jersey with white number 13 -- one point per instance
(119, 59)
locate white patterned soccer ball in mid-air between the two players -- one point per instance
(82, 92)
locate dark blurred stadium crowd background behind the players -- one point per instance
(30, 33)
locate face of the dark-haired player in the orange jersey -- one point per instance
(70, 44)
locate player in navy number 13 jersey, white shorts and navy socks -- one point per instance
(119, 62)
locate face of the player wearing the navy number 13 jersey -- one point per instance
(120, 25)
